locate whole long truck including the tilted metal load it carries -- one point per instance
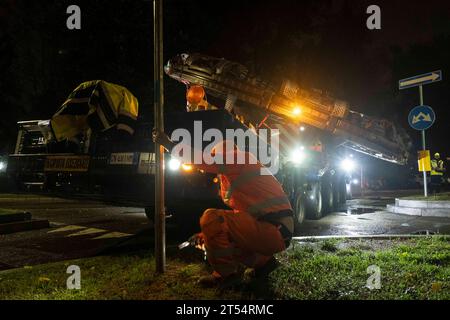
(315, 131)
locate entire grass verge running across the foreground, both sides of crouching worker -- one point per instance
(331, 269)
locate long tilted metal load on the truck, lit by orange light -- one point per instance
(231, 81)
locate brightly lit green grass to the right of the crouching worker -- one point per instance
(409, 269)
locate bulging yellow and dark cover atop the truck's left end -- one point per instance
(98, 105)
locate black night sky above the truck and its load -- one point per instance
(319, 43)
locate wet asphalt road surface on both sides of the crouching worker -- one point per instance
(81, 228)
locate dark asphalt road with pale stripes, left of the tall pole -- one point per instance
(79, 228)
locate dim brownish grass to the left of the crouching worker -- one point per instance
(110, 277)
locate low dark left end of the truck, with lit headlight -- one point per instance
(115, 169)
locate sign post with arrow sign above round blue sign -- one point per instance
(421, 117)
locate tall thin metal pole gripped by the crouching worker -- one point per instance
(160, 228)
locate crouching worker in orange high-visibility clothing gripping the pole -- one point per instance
(259, 224)
